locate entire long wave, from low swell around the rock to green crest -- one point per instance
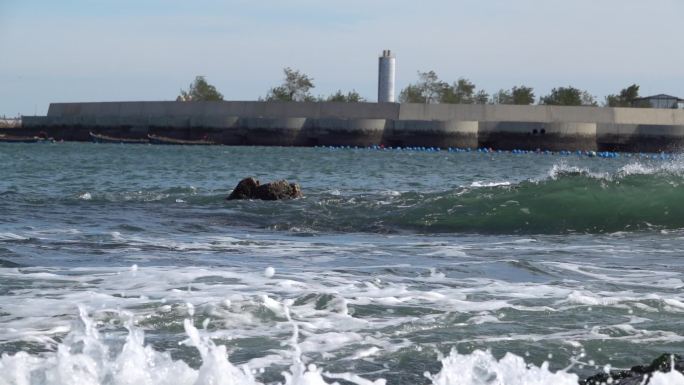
(568, 199)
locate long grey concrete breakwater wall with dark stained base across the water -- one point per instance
(362, 124)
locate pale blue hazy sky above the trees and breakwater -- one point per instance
(113, 50)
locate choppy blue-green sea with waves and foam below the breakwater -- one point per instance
(124, 264)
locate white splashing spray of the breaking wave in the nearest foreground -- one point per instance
(85, 357)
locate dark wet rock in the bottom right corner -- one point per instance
(637, 375)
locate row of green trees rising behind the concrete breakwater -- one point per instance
(297, 86)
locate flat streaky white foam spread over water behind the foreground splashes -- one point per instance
(344, 315)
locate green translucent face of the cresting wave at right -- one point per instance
(568, 202)
